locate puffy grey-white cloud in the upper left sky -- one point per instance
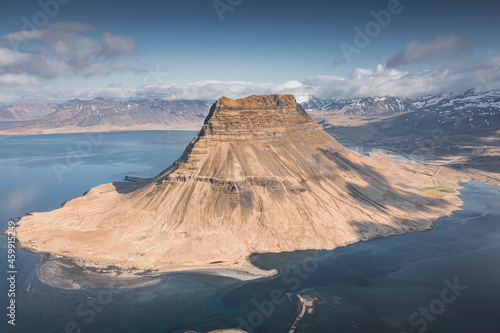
(62, 49)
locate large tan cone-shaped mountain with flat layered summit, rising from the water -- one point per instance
(260, 176)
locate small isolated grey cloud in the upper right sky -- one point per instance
(444, 45)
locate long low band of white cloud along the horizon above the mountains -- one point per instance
(381, 81)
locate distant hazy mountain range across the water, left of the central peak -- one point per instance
(105, 114)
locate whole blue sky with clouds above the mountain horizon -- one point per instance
(54, 50)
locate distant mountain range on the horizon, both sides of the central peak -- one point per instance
(470, 110)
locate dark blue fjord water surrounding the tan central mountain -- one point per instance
(382, 285)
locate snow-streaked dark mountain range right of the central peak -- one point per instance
(453, 111)
